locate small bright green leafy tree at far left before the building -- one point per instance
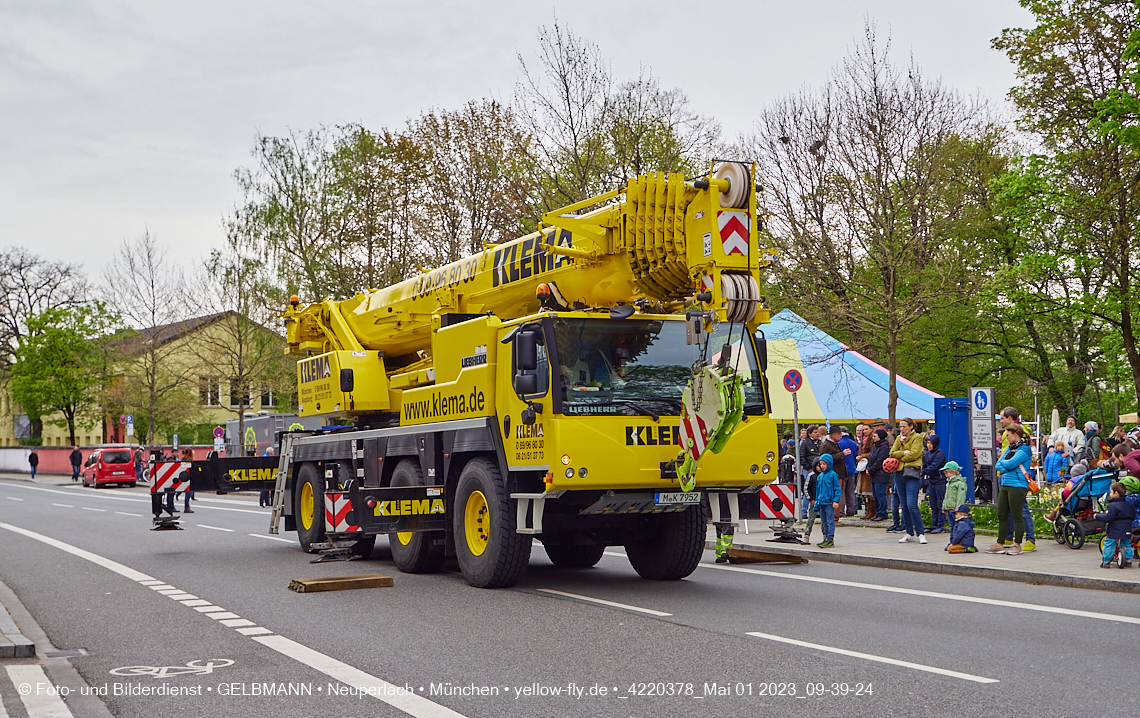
(63, 363)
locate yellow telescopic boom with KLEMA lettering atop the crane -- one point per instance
(661, 239)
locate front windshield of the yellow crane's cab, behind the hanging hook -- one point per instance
(639, 368)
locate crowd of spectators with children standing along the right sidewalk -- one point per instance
(891, 474)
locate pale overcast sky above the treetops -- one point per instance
(117, 118)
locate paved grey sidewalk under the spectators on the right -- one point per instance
(1053, 565)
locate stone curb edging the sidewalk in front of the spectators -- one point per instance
(950, 569)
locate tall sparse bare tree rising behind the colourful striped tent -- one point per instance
(867, 198)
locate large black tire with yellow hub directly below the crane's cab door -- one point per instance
(504, 554)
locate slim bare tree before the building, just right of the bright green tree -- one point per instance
(150, 293)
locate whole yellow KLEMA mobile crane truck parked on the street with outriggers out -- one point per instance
(564, 386)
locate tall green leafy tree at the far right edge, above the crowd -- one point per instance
(1080, 190)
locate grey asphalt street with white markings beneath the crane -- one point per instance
(739, 641)
